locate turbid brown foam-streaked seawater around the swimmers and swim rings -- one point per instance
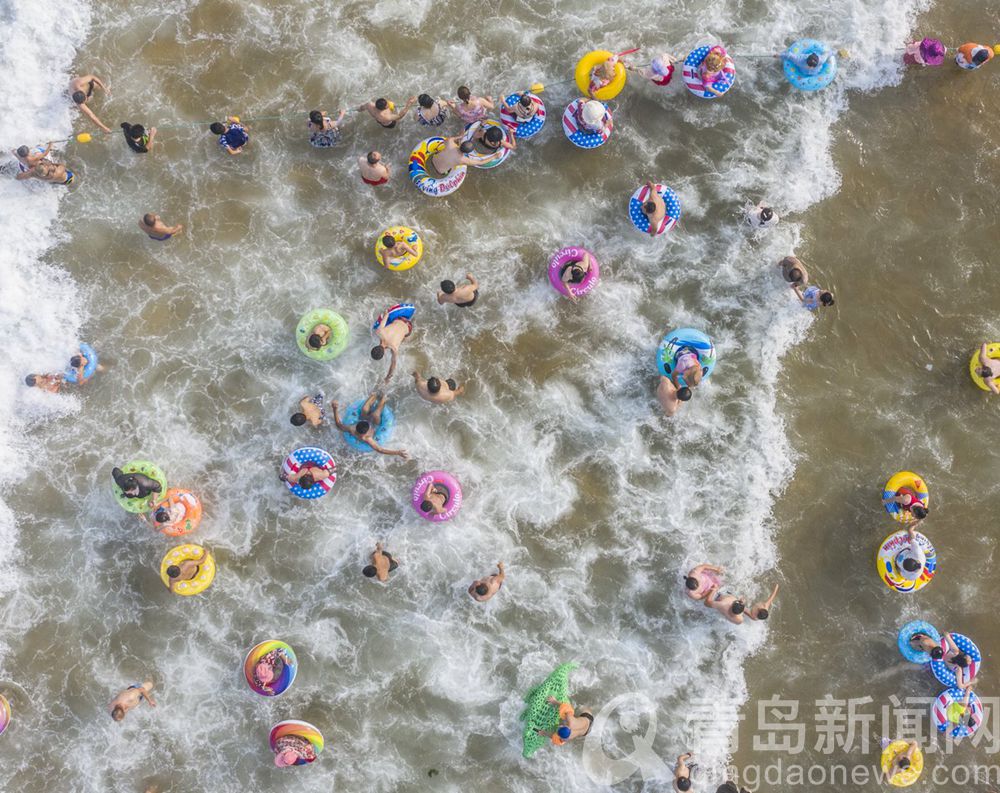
(595, 502)
